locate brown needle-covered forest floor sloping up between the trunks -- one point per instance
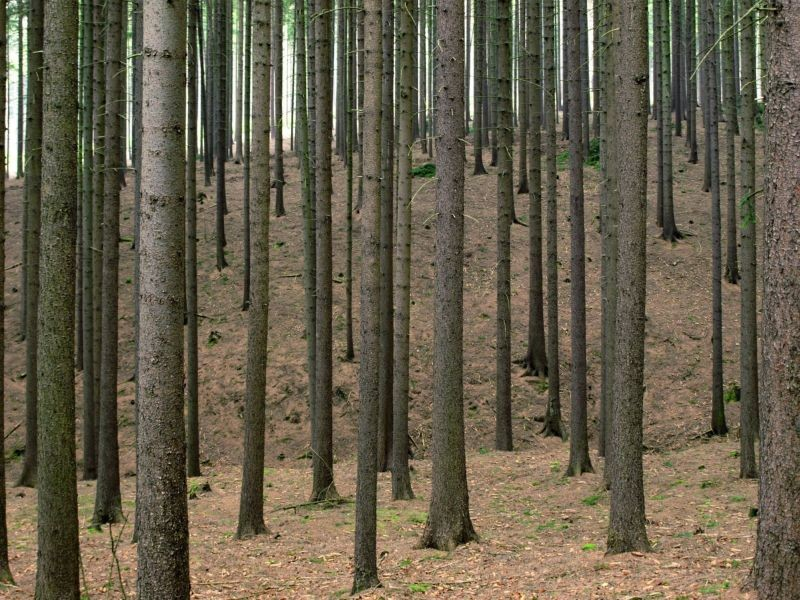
(540, 536)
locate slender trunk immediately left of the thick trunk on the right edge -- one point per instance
(749, 319)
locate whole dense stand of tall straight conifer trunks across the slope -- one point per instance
(370, 80)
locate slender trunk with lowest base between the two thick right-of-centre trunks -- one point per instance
(579, 444)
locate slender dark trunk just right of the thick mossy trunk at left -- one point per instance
(89, 410)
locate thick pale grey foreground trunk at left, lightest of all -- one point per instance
(161, 459)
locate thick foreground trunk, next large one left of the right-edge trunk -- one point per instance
(626, 529)
